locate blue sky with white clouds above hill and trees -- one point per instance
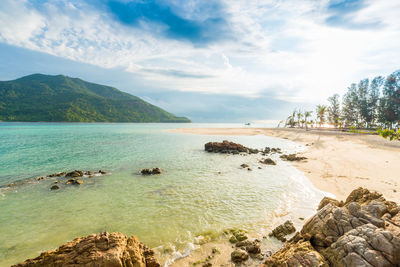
(210, 60)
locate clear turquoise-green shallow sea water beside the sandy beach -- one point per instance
(198, 191)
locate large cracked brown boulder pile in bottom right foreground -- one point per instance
(362, 231)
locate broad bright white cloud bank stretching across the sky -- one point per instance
(280, 48)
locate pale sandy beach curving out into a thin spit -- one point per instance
(337, 162)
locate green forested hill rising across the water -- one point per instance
(41, 97)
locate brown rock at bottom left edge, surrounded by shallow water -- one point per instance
(104, 249)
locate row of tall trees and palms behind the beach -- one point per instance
(368, 104)
